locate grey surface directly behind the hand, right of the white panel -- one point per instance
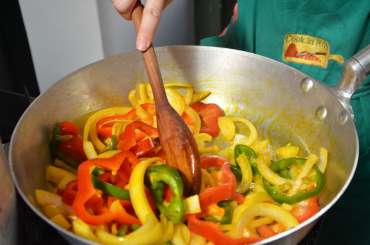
(176, 27)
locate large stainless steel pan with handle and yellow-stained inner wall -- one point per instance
(286, 105)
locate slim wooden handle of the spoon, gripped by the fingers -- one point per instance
(151, 63)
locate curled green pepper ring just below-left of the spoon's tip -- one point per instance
(159, 176)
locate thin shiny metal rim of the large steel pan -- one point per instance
(69, 234)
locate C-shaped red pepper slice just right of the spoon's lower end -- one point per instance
(227, 187)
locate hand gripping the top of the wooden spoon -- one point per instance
(149, 23)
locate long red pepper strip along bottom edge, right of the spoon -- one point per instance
(213, 232)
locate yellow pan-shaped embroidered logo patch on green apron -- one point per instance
(309, 50)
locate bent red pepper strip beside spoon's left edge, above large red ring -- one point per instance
(128, 138)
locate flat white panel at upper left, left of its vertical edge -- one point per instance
(64, 35)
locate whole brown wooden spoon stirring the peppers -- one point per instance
(176, 139)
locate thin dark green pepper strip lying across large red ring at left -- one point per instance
(108, 188)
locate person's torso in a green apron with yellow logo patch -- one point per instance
(313, 36)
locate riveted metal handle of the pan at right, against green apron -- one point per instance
(355, 71)
